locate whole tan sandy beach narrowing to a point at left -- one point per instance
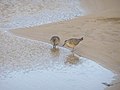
(100, 28)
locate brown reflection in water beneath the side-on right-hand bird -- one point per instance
(72, 59)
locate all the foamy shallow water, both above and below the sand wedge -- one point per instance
(32, 65)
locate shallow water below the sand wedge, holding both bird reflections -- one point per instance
(33, 65)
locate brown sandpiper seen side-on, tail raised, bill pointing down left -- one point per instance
(72, 42)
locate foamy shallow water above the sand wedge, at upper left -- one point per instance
(27, 13)
